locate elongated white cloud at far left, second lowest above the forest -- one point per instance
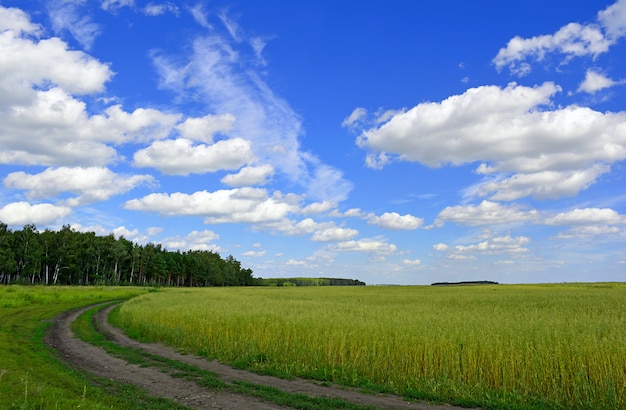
(90, 184)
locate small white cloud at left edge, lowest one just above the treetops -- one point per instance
(22, 213)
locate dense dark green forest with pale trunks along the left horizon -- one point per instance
(69, 257)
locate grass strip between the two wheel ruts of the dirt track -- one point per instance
(85, 329)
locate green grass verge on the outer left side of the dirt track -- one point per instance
(31, 377)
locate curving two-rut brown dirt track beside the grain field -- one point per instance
(83, 356)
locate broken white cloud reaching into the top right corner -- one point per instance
(571, 40)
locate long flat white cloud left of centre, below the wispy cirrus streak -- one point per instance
(251, 205)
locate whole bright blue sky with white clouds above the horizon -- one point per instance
(399, 142)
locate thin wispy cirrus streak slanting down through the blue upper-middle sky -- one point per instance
(222, 69)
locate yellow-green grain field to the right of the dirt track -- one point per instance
(519, 346)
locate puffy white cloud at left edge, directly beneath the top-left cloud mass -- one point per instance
(65, 134)
